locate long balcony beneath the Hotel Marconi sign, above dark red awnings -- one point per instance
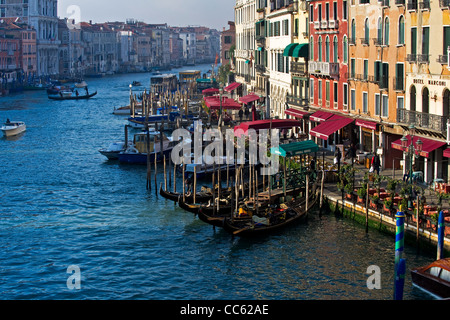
(423, 120)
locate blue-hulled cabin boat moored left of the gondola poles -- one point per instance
(137, 152)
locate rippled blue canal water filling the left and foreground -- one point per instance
(63, 204)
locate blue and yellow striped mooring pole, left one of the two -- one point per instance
(400, 264)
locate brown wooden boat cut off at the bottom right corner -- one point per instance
(433, 278)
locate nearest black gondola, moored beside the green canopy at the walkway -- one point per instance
(273, 219)
